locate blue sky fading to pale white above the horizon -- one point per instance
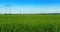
(29, 6)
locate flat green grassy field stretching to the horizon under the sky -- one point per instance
(30, 23)
